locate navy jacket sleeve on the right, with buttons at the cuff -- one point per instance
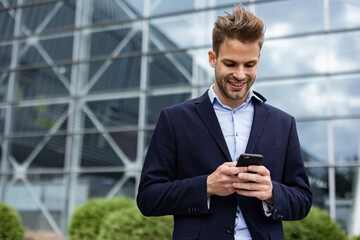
(292, 196)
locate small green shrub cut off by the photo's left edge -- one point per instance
(10, 224)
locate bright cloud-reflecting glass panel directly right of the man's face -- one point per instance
(297, 56)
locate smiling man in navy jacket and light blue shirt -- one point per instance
(190, 171)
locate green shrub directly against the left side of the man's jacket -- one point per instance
(131, 224)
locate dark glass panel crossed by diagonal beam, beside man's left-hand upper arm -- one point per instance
(108, 149)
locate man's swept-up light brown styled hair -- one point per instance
(242, 25)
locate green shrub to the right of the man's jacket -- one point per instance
(316, 226)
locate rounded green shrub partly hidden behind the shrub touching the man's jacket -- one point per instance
(86, 220)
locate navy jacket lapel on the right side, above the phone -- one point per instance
(260, 115)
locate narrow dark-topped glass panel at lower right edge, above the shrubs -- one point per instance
(346, 179)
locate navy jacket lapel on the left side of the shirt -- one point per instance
(206, 112)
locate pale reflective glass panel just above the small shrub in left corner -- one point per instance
(38, 201)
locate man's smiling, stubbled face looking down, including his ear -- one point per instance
(235, 70)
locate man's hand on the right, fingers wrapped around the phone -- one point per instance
(257, 184)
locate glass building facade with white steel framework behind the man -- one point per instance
(82, 83)
